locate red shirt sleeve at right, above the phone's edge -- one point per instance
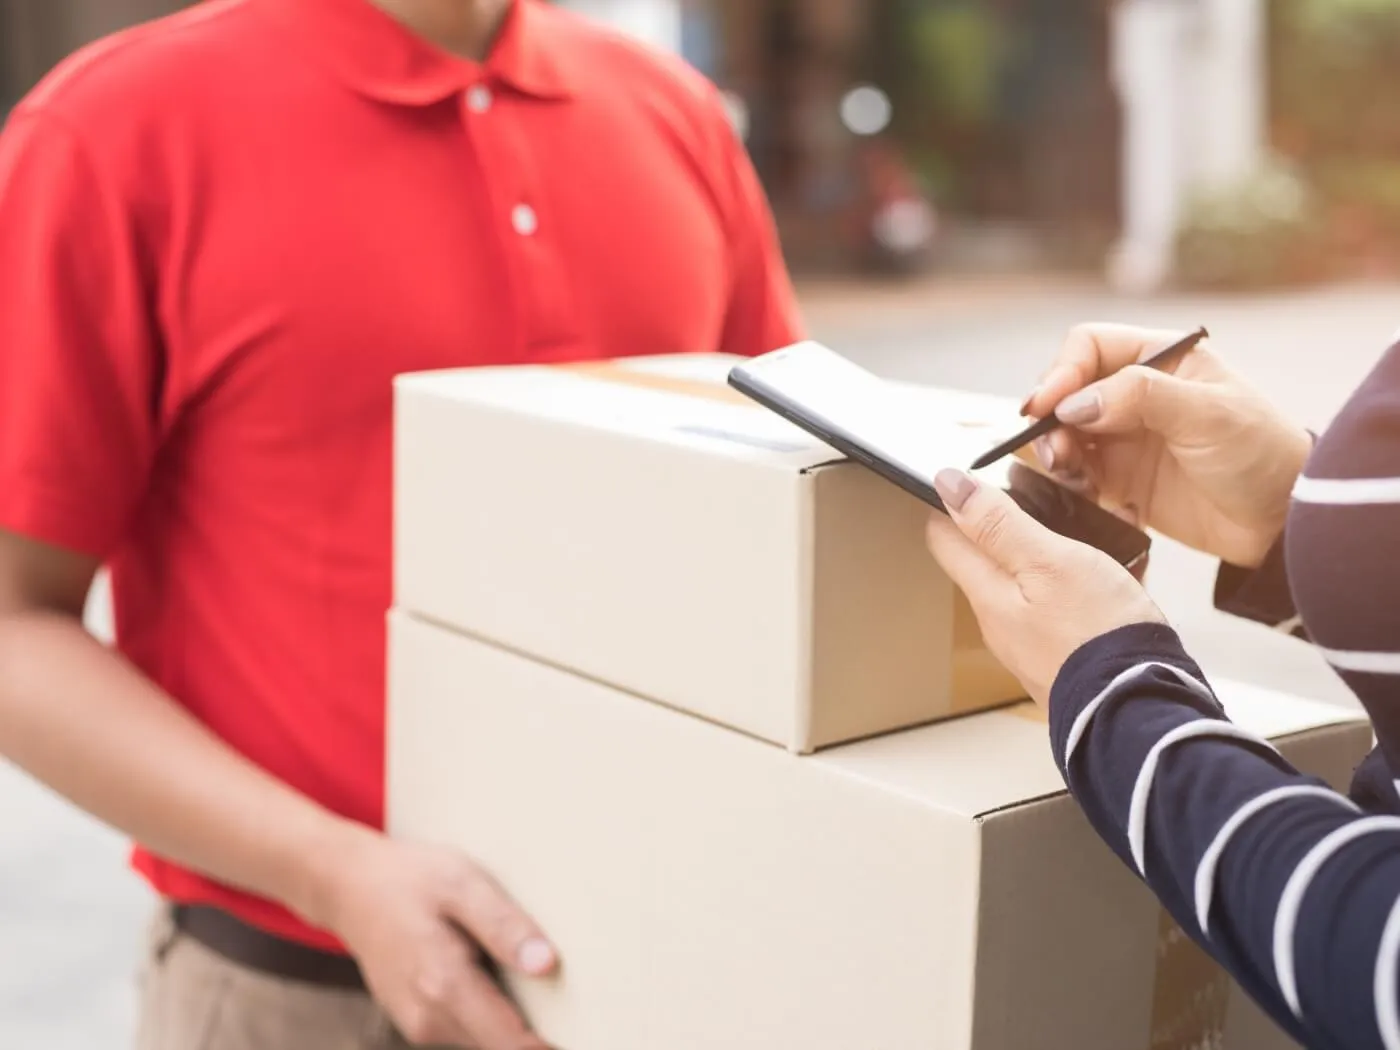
(764, 314)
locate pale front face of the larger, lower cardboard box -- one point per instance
(701, 884)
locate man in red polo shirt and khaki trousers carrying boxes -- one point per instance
(220, 239)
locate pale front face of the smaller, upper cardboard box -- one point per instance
(610, 554)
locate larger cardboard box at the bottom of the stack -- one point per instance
(933, 890)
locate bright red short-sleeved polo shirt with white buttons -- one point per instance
(225, 233)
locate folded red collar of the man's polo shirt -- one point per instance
(381, 58)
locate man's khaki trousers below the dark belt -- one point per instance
(197, 1000)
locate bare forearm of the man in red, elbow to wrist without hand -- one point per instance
(76, 716)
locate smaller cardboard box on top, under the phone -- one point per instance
(642, 524)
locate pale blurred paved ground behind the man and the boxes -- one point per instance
(71, 916)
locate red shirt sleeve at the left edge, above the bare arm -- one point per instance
(79, 360)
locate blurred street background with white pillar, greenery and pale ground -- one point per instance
(957, 184)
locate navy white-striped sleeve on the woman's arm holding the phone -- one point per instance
(1289, 884)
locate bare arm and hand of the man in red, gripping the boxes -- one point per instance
(89, 724)
